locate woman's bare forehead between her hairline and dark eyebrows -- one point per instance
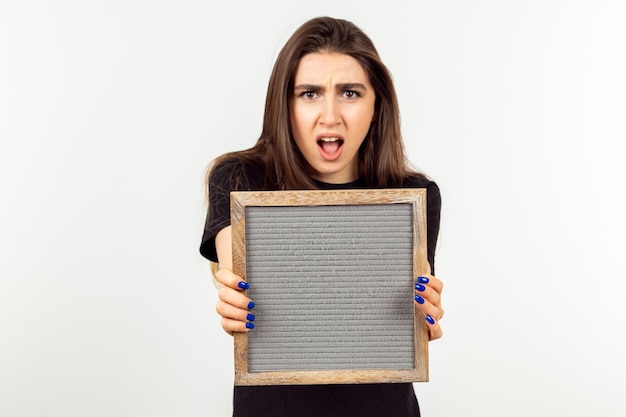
(319, 67)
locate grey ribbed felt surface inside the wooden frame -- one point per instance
(332, 287)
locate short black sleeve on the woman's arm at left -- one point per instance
(221, 181)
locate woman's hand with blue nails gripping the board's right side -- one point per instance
(428, 290)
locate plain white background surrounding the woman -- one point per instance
(110, 111)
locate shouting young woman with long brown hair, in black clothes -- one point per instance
(331, 122)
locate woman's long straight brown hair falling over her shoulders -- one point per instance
(382, 160)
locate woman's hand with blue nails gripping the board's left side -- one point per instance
(233, 305)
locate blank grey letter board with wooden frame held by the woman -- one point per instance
(331, 273)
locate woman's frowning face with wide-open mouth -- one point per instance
(331, 111)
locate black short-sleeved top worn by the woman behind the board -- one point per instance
(362, 400)
